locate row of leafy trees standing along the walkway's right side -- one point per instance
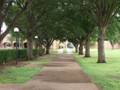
(96, 18)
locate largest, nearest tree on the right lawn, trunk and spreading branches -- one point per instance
(102, 11)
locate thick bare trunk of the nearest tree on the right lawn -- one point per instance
(101, 52)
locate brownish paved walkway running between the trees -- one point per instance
(63, 73)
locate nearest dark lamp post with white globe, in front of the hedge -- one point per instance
(16, 30)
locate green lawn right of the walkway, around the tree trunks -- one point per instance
(107, 75)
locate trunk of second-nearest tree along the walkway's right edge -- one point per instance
(87, 46)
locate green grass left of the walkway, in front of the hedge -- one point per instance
(20, 74)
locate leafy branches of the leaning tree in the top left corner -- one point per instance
(10, 11)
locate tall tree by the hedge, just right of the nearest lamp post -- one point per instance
(29, 21)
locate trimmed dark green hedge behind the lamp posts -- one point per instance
(10, 54)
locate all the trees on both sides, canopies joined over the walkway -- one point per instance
(79, 21)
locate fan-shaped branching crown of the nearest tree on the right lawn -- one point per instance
(103, 10)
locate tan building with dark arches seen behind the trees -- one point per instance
(10, 43)
